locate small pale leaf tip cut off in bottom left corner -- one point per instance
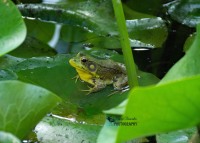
(8, 138)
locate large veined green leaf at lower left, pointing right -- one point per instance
(22, 106)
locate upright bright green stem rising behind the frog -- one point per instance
(125, 43)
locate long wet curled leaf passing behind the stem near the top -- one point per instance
(98, 19)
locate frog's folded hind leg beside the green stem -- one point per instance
(120, 82)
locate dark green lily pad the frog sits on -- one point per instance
(34, 69)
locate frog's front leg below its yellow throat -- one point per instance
(97, 83)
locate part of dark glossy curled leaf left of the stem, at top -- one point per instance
(87, 15)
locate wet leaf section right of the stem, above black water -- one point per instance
(151, 31)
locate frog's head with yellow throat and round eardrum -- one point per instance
(84, 63)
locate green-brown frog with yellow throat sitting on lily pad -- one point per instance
(99, 72)
